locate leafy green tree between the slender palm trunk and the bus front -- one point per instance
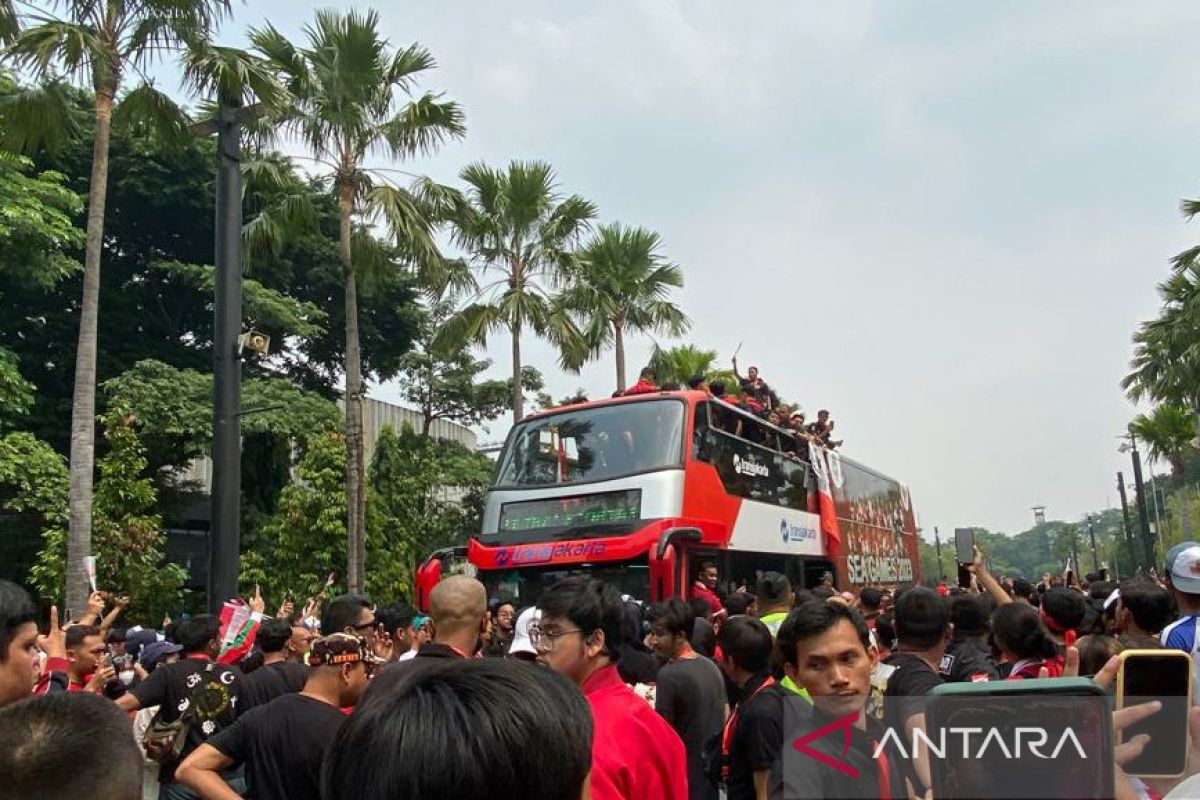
(424, 495)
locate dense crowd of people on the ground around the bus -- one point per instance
(585, 694)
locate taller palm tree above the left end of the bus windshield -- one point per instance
(515, 224)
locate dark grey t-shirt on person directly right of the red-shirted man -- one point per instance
(691, 696)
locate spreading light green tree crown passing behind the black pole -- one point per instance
(176, 410)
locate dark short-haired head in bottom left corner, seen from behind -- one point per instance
(68, 745)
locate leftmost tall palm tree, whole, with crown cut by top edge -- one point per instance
(99, 45)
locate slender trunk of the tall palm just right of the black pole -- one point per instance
(356, 498)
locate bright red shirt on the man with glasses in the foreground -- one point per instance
(635, 754)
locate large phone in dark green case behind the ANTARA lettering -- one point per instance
(1009, 741)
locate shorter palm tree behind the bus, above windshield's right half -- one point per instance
(621, 285)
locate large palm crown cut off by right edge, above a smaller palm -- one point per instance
(1167, 351)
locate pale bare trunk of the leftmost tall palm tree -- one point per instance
(83, 407)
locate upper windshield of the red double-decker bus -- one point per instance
(595, 444)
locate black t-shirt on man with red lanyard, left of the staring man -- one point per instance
(758, 737)
